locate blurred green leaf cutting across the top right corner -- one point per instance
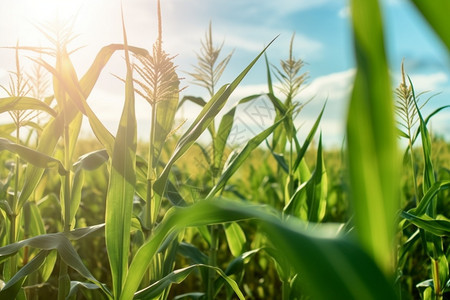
(436, 14)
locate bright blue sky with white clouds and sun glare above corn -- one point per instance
(322, 39)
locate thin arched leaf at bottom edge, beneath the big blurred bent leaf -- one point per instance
(178, 276)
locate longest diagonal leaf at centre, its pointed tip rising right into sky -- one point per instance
(203, 120)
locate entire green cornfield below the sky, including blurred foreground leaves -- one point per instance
(171, 217)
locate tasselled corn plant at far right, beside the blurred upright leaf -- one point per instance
(434, 246)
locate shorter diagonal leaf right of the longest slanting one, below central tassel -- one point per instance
(240, 158)
